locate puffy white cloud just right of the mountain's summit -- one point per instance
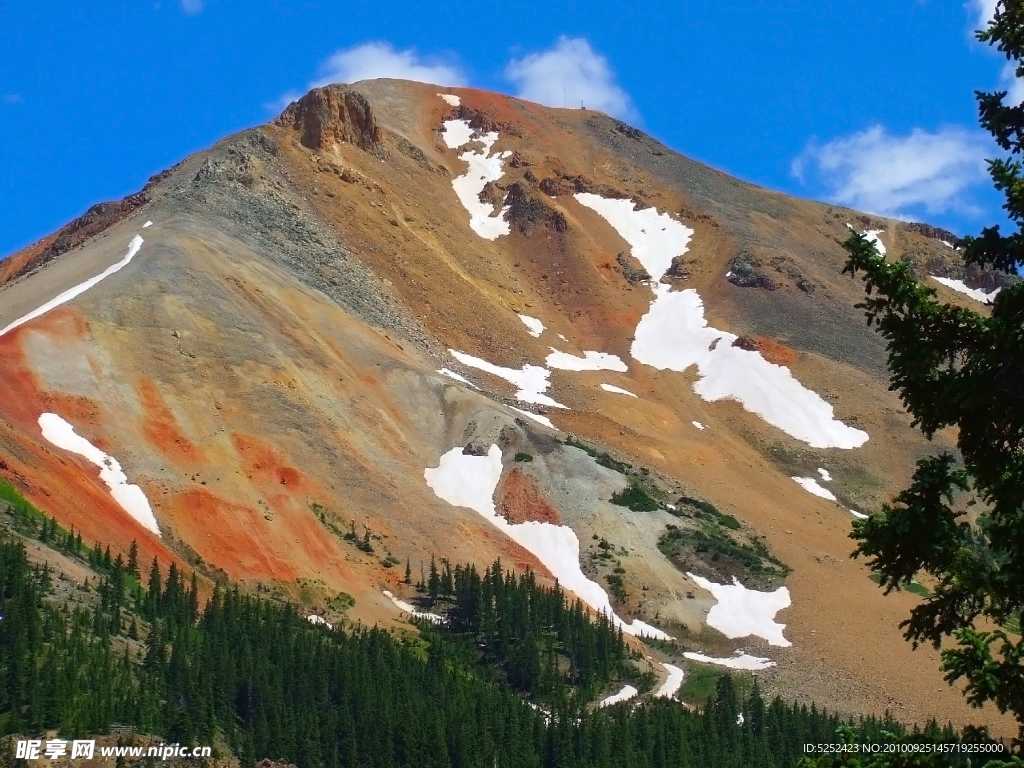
(568, 74)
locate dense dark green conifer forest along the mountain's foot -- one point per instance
(270, 684)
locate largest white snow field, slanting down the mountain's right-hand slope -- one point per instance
(675, 335)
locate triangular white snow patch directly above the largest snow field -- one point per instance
(656, 238)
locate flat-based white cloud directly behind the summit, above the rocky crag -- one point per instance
(380, 60)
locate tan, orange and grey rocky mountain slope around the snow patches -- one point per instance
(266, 370)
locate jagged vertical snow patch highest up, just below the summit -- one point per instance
(484, 167)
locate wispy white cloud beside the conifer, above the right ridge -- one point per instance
(888, 176)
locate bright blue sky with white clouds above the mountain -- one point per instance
(865, 103)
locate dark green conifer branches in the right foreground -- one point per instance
(958, 368)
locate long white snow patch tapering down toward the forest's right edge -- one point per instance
(471, 482)
